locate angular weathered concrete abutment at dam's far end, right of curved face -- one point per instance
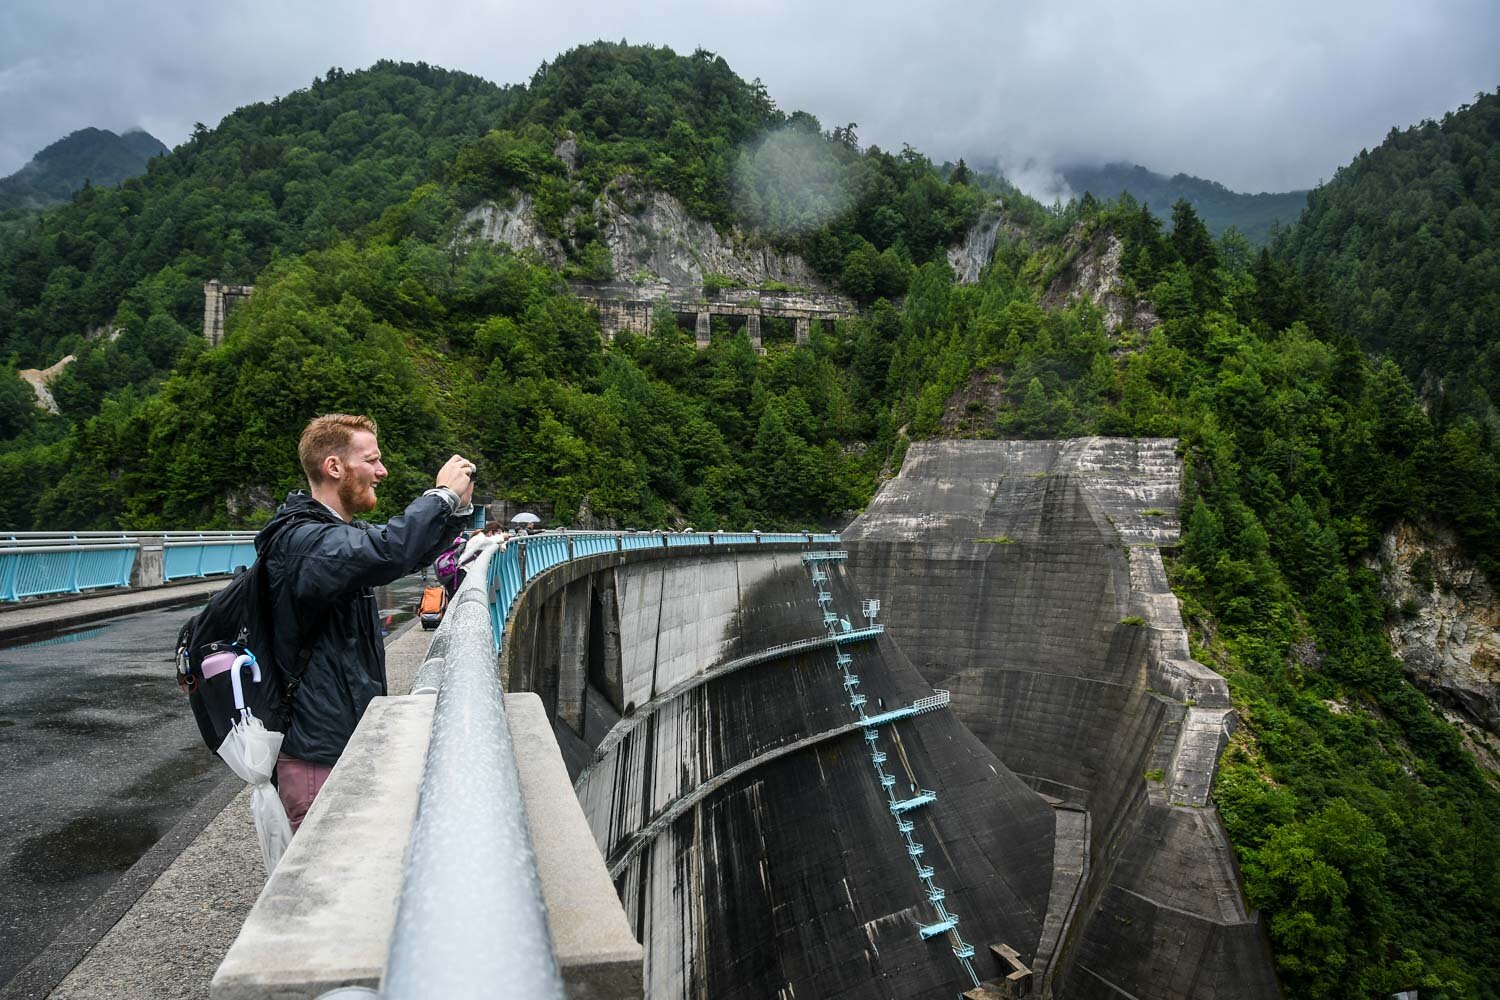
(1027, 578)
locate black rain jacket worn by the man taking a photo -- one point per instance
(323, 576)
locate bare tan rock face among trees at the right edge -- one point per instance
(1447, 626)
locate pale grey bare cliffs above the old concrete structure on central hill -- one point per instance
(652, 239)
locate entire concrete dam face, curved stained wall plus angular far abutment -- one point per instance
(796, 803)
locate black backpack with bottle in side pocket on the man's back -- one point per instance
(238, 624)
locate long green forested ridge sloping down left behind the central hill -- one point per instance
(274, 179)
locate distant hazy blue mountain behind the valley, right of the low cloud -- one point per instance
(1220, 208)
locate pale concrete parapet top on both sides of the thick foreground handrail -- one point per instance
(326, 917)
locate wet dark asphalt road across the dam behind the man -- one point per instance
(98, 758)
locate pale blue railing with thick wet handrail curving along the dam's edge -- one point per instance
(472, 912)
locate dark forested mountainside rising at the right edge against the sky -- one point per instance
(1405, 244)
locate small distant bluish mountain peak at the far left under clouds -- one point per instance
(88, 157)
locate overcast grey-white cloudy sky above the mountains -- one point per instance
(1261, 97)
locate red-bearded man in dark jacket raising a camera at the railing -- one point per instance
(323, 572)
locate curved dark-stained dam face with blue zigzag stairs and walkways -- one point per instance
(713, 725)
